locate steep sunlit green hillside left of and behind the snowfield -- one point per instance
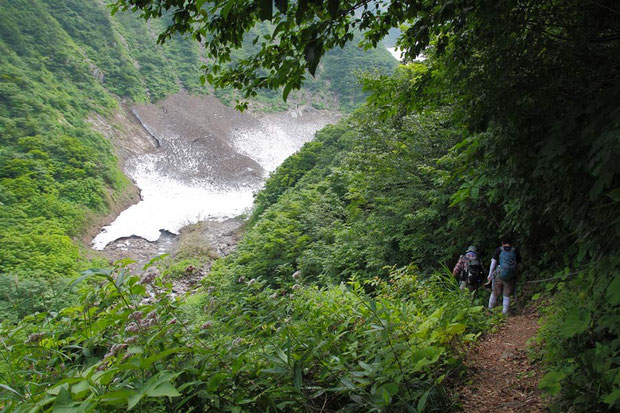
(63, 63)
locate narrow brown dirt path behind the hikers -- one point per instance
(501, 377)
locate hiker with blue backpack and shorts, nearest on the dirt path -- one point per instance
(504, 276)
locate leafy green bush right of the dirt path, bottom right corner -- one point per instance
(580, 332)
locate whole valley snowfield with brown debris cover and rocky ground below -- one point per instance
(195, 160)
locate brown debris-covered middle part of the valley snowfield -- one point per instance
(195, 134)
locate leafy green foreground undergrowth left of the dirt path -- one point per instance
(242, 347)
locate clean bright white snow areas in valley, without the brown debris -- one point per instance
(170, 203)
